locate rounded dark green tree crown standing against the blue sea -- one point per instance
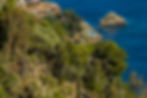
(113, 58)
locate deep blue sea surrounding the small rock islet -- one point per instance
(132, 38)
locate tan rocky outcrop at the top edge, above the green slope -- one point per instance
(39, 8)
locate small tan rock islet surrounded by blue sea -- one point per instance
(112, 20)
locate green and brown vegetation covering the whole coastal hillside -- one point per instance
(39, 59)
